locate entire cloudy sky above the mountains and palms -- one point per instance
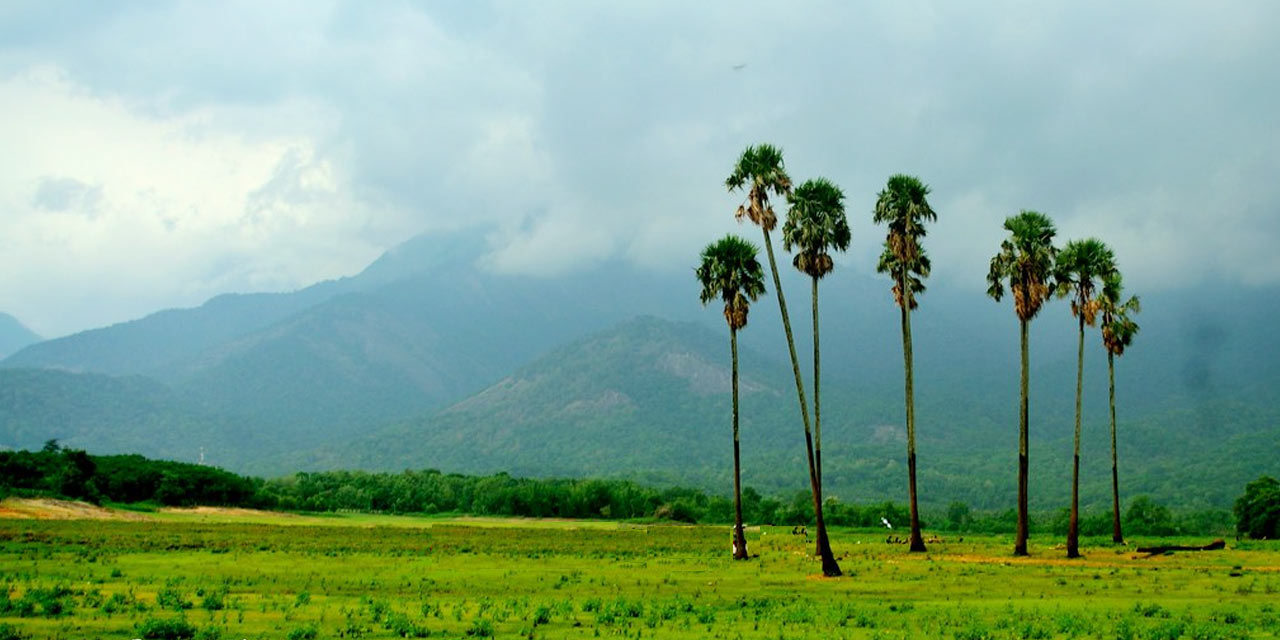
(156, 154)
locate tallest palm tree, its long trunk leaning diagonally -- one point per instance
(760, 171)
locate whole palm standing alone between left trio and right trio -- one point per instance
(904, 208)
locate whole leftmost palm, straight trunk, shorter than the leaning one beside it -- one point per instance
(732, 273)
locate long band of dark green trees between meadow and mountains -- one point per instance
(131, 479)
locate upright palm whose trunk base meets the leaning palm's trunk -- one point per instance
(816, 226)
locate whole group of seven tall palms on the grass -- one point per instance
(816, 227)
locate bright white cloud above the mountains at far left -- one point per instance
(180, 212)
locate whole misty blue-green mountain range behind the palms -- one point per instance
(428, 360)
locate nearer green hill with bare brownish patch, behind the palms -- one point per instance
(650, 400)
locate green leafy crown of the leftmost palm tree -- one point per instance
(730, 272)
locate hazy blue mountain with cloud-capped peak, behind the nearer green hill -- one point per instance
(418, 330)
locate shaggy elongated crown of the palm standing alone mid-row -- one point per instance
(903, 205)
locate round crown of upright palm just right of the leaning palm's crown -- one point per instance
(816, 225)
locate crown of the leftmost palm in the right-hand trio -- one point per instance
(1026, 260)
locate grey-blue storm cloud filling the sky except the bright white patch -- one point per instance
(587, 130)
